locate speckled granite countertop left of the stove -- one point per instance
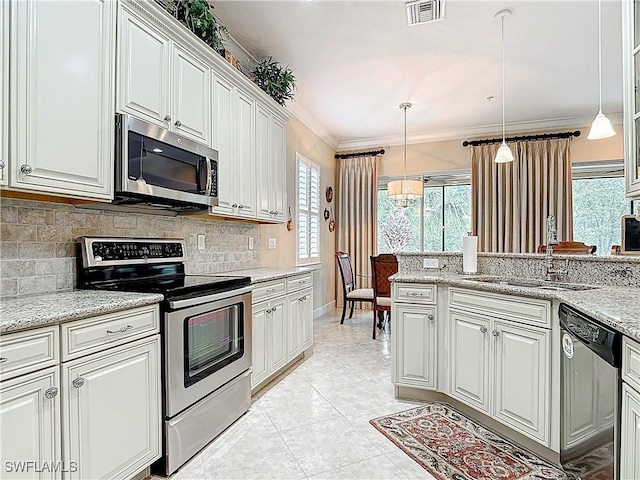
(22, 313)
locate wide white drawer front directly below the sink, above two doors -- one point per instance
(521, 309)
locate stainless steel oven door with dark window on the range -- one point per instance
(206, 346)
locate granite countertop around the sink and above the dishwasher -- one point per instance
(616, 307)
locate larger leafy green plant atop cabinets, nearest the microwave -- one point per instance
(198, 16)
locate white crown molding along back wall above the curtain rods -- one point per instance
(492, 130)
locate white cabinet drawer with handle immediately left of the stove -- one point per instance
(94, 334)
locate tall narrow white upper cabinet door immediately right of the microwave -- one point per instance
(223, 118)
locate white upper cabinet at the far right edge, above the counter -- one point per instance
(631, 80)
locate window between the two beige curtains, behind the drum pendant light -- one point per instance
(436, 223)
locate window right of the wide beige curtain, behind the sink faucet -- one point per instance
(598, 204)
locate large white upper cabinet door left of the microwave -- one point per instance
(62, 107)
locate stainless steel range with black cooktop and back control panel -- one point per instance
(205, 331)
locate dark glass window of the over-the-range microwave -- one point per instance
(157, 163)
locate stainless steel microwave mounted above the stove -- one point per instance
(158, 168)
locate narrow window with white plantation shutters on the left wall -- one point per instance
(308, 189)
